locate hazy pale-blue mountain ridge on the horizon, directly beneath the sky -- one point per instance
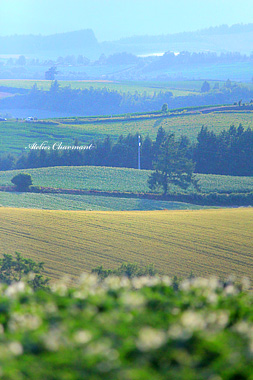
(224, 38)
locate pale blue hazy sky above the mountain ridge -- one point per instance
(113, 19)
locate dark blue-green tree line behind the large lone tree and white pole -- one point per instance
(229, 152)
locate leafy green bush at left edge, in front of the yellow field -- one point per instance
(14, 269)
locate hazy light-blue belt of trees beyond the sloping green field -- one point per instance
(93, 101)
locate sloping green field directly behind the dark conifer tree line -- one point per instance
(16, 136)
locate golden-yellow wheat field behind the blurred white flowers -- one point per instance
(205, 242)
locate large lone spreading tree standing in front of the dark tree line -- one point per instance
(172, 167)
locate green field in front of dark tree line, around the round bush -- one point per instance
(118, 179)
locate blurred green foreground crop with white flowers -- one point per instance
(122, 329)
